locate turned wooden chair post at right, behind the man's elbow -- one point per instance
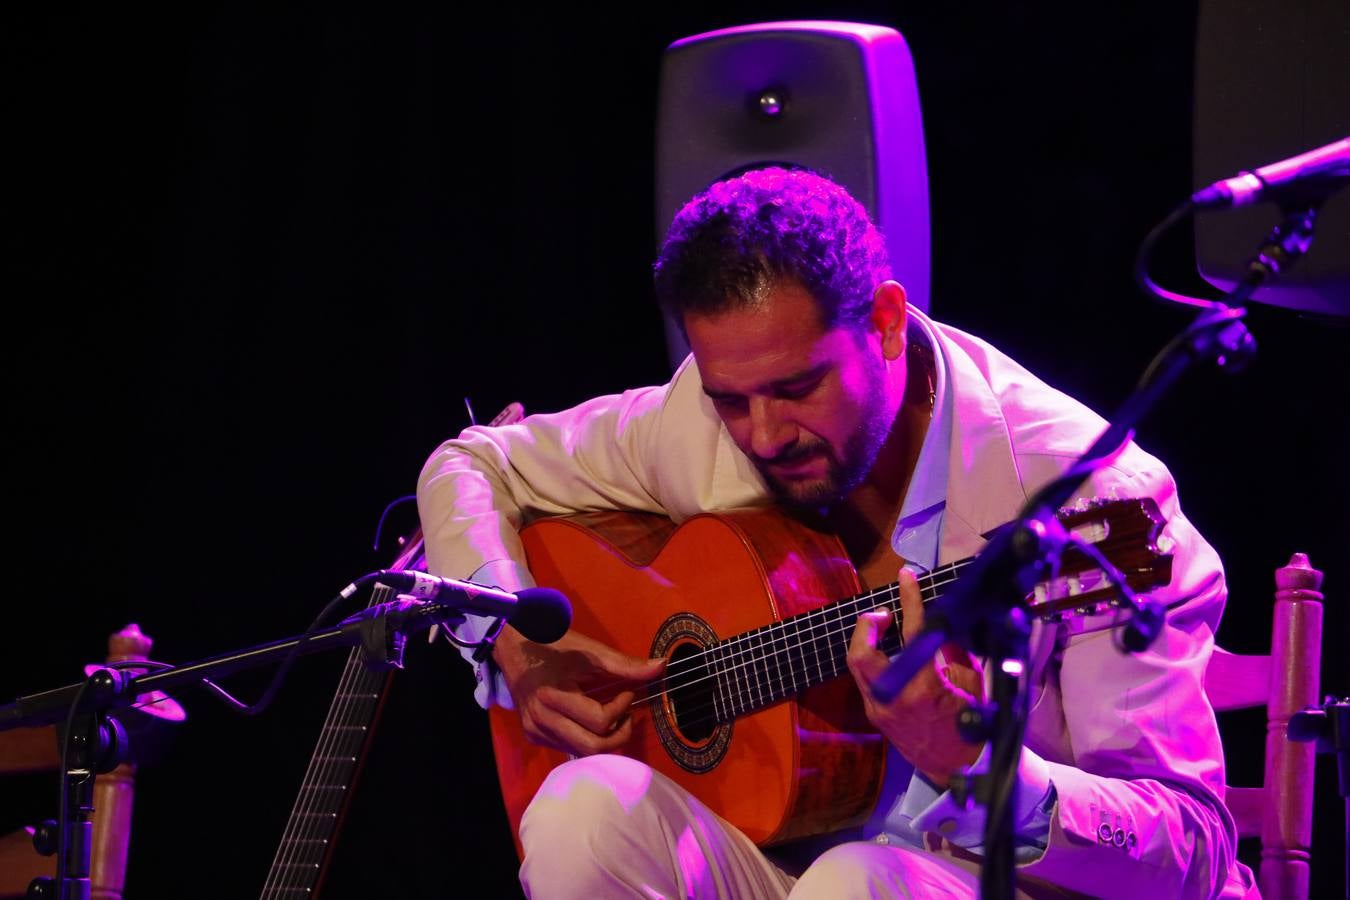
(1286, 682)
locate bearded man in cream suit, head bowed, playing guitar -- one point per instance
(813, 385)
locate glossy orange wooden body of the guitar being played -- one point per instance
(638, 584)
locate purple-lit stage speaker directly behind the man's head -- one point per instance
(835, 98)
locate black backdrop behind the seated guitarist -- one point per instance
(259, 260)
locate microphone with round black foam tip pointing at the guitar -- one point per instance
(542, 615)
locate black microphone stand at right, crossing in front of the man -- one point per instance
(986, 609)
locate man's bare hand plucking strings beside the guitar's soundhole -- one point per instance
(574, 694)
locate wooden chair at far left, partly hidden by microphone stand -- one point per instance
(25, 751)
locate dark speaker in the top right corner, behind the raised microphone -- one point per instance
(1272, 82)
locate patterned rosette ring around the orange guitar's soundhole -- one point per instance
(688, 717)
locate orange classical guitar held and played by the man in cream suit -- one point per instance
(754, 612)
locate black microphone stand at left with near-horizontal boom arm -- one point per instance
(95, 743)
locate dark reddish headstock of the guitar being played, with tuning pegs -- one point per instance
(1129, 535)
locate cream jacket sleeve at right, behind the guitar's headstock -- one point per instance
(1136, 758)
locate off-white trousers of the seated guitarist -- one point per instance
(608, 826)
